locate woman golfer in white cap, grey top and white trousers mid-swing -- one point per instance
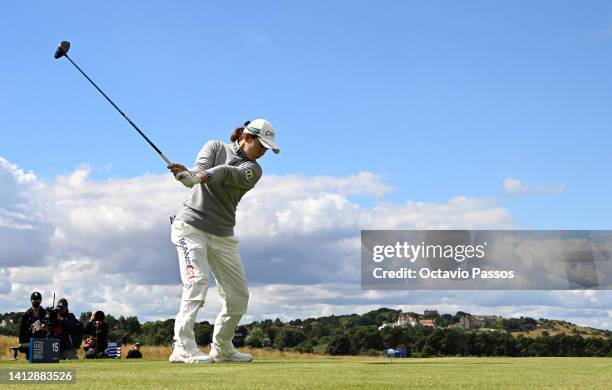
(203, 233)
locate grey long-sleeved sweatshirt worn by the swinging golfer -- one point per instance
(211, 207)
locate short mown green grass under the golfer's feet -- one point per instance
(338, 373)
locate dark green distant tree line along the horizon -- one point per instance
(360, 335)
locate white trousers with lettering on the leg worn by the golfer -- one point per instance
(198, 251)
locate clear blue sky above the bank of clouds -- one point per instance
(438, 99)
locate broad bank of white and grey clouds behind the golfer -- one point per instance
(105, 244)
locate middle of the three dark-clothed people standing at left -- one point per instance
(66, 329)
